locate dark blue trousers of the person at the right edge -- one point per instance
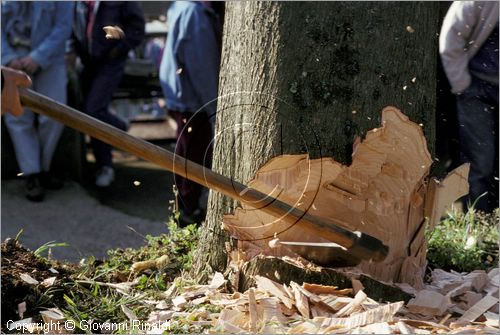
(477, 110)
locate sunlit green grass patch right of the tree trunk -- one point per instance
(464, 241)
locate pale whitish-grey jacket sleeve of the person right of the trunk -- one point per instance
(453, 42)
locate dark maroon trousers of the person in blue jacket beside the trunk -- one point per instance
(194, 142)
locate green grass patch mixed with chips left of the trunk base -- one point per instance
(83, 296)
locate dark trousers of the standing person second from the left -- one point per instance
(99, 81)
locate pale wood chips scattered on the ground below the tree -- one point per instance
(452, 303)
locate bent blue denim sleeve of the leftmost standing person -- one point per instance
(55, 41)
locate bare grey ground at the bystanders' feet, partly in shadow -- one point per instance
(91, 220)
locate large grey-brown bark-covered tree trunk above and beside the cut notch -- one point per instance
(308, 77)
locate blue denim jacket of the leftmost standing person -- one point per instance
(50, 28)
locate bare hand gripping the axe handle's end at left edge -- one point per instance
(11, 81)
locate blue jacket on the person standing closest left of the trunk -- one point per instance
(189, 71)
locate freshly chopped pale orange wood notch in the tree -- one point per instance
(384, 193)
